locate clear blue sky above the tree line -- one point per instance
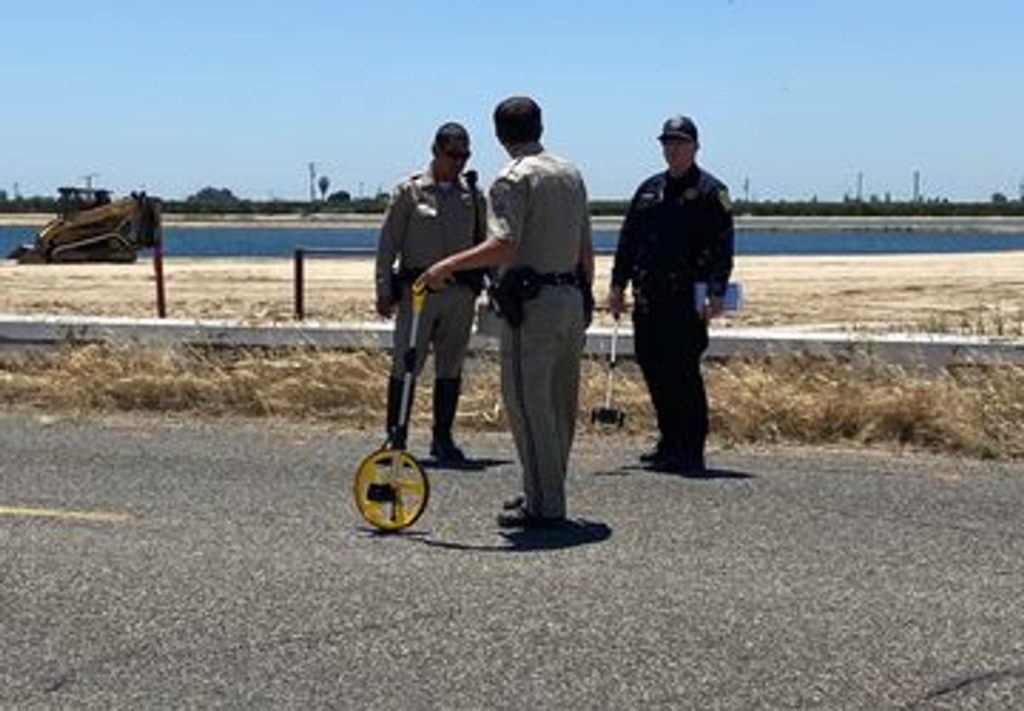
(797, 96)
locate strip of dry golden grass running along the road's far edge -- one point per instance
(972, 410)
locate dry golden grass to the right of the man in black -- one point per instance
(970, 410)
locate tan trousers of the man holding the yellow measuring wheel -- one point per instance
(540, 388)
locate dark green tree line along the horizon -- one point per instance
(223, 201)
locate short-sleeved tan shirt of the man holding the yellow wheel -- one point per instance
(539, 201)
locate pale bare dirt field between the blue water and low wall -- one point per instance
(964, 294)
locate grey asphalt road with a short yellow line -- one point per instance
(154, 564)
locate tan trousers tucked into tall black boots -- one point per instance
(445, 325)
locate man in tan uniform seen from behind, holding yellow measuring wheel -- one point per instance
(539, 231)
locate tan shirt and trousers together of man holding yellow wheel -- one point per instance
(540, 203)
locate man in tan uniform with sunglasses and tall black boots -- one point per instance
(433, 215)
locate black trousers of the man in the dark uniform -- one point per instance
(669, 339)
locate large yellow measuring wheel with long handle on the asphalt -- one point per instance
(391, 487)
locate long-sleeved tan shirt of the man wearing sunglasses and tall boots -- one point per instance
(425, 222)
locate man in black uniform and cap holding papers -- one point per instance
(678, 233)
